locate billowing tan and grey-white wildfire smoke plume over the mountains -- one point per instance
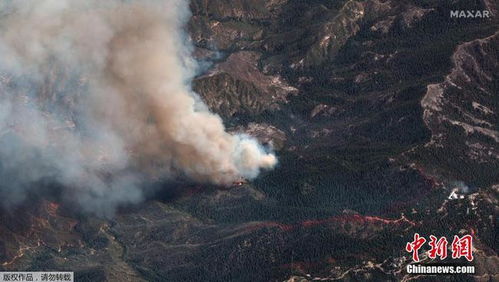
(95, 96)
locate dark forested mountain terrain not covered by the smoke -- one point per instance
(378, 111)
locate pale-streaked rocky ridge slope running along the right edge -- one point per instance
(462, 113)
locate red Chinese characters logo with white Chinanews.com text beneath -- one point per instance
(460, 247)
